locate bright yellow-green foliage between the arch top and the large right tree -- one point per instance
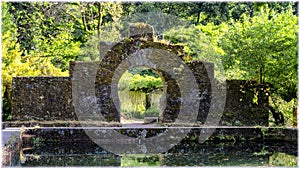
(200, 43)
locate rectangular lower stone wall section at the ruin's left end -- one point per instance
(42, 98)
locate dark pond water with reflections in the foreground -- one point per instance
(184, 154)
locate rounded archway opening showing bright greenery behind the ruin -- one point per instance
(140, 92)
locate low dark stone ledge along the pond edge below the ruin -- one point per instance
(227, 133)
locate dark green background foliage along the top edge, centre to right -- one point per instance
(204, 12)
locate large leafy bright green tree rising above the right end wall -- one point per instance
(264, 48)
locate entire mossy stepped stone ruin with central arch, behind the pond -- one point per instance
(58, 98)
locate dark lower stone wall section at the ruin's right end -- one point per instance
(246, 103)
